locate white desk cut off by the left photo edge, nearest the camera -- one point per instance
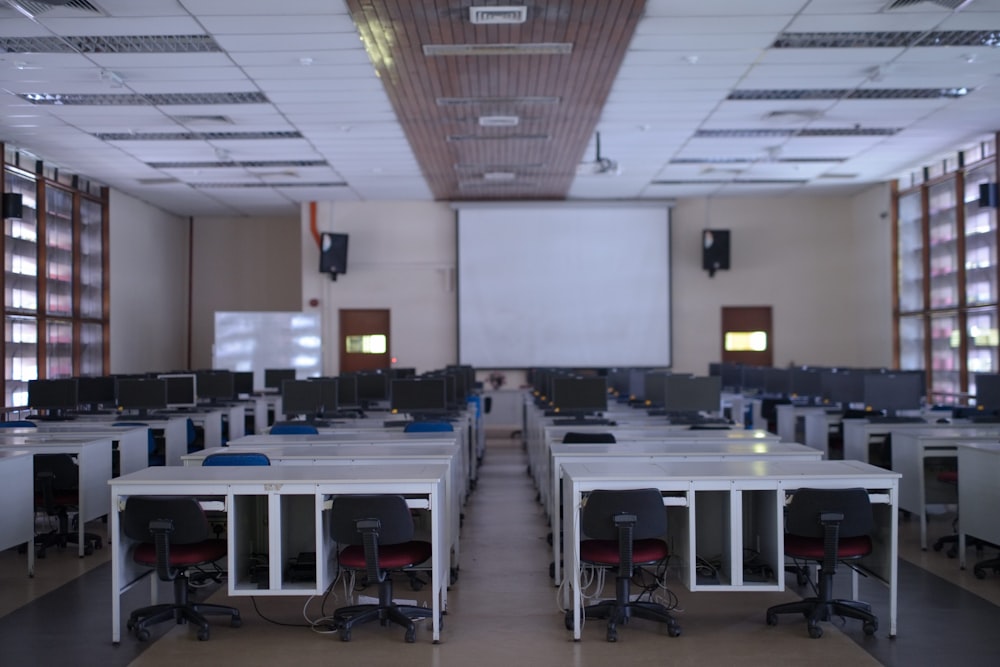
(17, 498)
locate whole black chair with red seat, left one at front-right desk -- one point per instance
(624, 529)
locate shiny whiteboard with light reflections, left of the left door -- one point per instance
(253, 341)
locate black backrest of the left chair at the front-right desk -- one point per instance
(598, 517)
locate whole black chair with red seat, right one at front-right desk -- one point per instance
(828, 526)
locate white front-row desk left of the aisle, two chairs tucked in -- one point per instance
(280, 510)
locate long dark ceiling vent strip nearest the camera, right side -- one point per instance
(901, 39)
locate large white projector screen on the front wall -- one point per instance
(564, 285)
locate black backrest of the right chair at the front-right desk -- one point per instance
(802, 515)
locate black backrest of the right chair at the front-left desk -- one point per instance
(392, 513)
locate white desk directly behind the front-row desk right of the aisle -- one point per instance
(665, 451)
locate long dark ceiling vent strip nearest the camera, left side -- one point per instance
(111, 44)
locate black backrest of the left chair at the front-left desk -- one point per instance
(189, 520)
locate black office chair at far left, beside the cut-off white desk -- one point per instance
(57, 494)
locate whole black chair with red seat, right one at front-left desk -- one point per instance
(378, 534)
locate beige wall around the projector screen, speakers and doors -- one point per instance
(822, 263)
